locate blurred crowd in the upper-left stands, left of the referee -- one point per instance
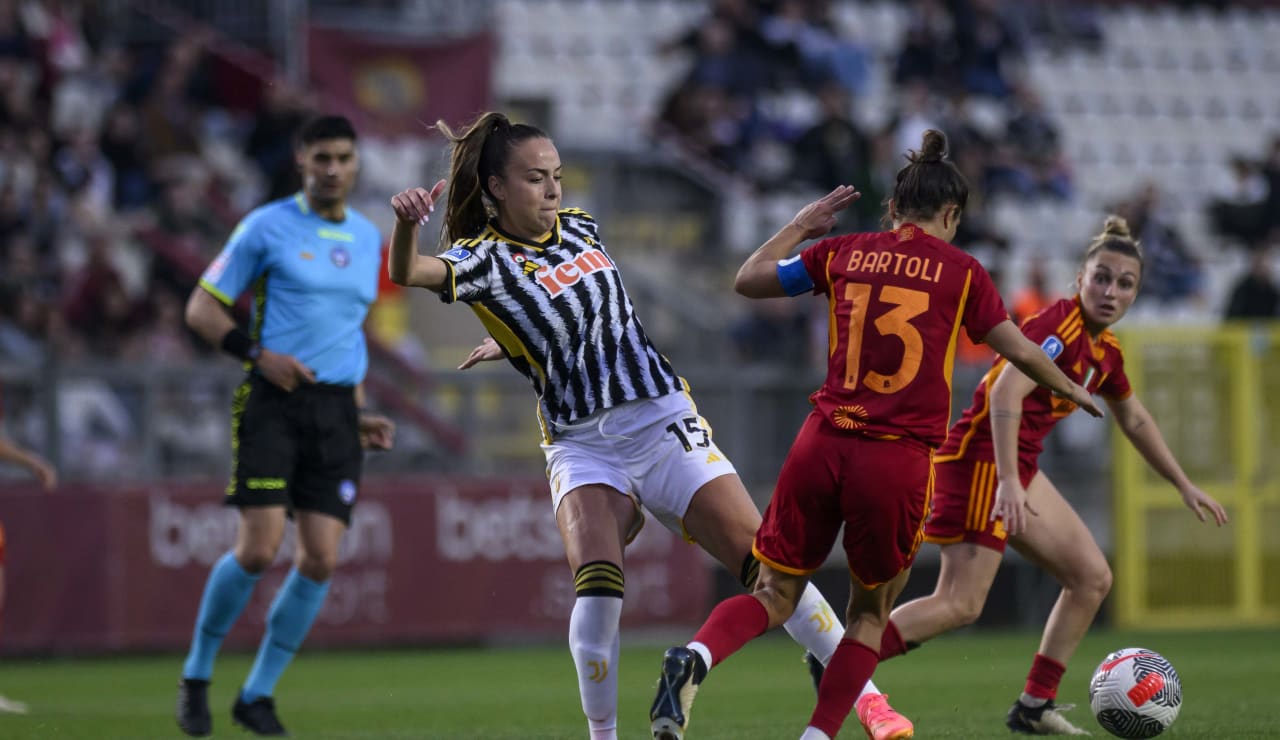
(122, 170)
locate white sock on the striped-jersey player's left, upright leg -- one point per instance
(595, 642)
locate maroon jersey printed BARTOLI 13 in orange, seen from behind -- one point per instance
(897, 303)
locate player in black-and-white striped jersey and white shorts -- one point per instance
(620, 428)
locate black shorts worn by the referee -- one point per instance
(299, 450)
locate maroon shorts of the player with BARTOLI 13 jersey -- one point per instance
(879, 490)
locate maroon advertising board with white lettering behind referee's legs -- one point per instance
(424, 561)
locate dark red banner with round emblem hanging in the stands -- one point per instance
(390, 86)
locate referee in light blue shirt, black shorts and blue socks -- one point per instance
(298, 427)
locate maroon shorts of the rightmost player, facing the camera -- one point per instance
(964, 494)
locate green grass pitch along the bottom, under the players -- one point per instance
(957, 687)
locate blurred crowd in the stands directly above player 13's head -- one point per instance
(753, 60)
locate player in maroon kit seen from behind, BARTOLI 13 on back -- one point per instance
(898, 302)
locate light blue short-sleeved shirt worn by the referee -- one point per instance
(313, 284)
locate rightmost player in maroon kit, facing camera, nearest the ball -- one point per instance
(990, 492)
